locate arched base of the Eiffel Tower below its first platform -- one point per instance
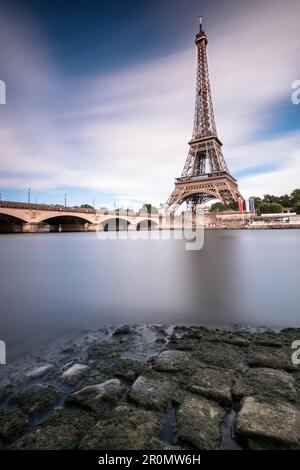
(199, 190)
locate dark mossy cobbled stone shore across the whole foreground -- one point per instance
(156, 387)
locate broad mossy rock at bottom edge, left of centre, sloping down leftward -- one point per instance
(127, 428)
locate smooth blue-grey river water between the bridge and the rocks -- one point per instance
(59, 283)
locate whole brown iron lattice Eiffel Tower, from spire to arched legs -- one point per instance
(205, 175)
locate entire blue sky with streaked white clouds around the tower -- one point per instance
(100, 96)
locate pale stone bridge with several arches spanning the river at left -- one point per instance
(26, 217)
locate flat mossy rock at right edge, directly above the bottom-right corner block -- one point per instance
(271, 383)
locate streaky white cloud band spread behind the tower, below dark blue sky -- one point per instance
(126, 133)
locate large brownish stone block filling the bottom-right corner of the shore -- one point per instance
(269, 425)
